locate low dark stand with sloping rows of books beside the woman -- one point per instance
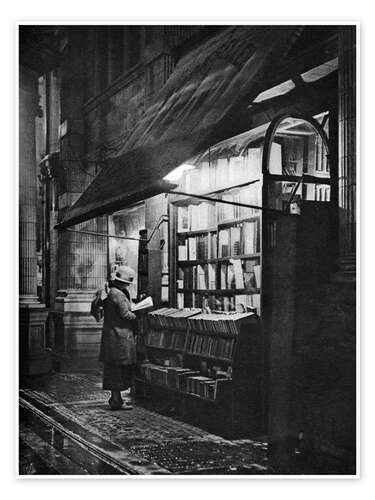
(208, 366)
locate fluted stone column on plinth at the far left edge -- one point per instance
(33, 355)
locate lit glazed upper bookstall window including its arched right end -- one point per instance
(223, 208)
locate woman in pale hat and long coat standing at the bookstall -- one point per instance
(118, 348)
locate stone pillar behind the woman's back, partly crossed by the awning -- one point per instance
(82, 266)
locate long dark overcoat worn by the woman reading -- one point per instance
(118, 341)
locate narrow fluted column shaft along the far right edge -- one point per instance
(347, 152)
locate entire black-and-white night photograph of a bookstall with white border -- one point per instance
(187, 249)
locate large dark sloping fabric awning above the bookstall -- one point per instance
(196, 108)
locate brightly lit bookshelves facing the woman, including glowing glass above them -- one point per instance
(217, 245)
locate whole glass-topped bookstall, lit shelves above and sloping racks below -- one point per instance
(249, 228)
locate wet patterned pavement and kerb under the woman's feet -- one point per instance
(65, 424)
